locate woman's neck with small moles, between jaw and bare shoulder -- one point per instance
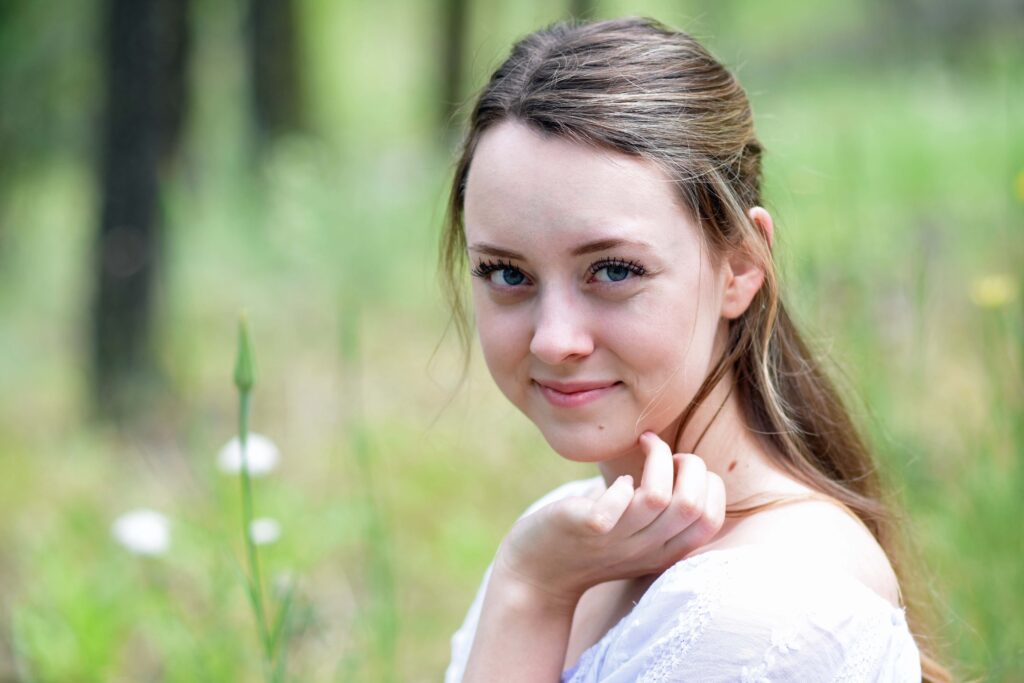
(720, 436)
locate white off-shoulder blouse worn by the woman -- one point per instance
(750, 614)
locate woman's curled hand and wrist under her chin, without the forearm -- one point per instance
(576, 543)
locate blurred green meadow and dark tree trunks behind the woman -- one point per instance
(166, 164)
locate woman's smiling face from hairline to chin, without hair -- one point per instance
(598, 307)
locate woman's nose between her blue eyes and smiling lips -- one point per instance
(562, 330)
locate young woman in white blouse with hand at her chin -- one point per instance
(608, 205)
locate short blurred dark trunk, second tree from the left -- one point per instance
(274, 68)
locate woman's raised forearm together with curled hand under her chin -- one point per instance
(552, 557)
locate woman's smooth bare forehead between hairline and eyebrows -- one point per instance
(526, 188)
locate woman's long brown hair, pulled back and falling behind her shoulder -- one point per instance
(638, 88)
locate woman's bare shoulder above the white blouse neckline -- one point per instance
(823, 531)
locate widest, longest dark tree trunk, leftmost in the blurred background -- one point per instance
(147, 44)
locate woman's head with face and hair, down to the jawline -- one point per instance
(610, 124)
